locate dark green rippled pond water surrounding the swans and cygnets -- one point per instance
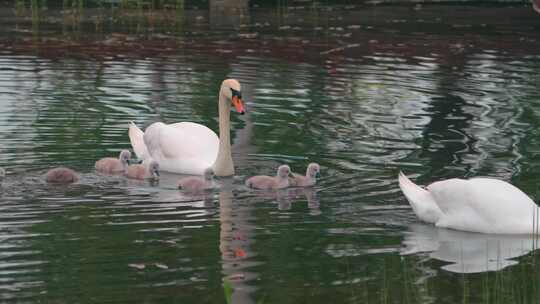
(436, 91)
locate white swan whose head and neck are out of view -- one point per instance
(483, 205)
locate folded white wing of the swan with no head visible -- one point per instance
(483, 205)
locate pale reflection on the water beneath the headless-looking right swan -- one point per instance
(467, 252)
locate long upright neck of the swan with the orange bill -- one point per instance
(224, 165)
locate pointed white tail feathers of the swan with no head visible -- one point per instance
(421, 200)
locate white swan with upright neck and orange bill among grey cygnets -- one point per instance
(191, 148)
